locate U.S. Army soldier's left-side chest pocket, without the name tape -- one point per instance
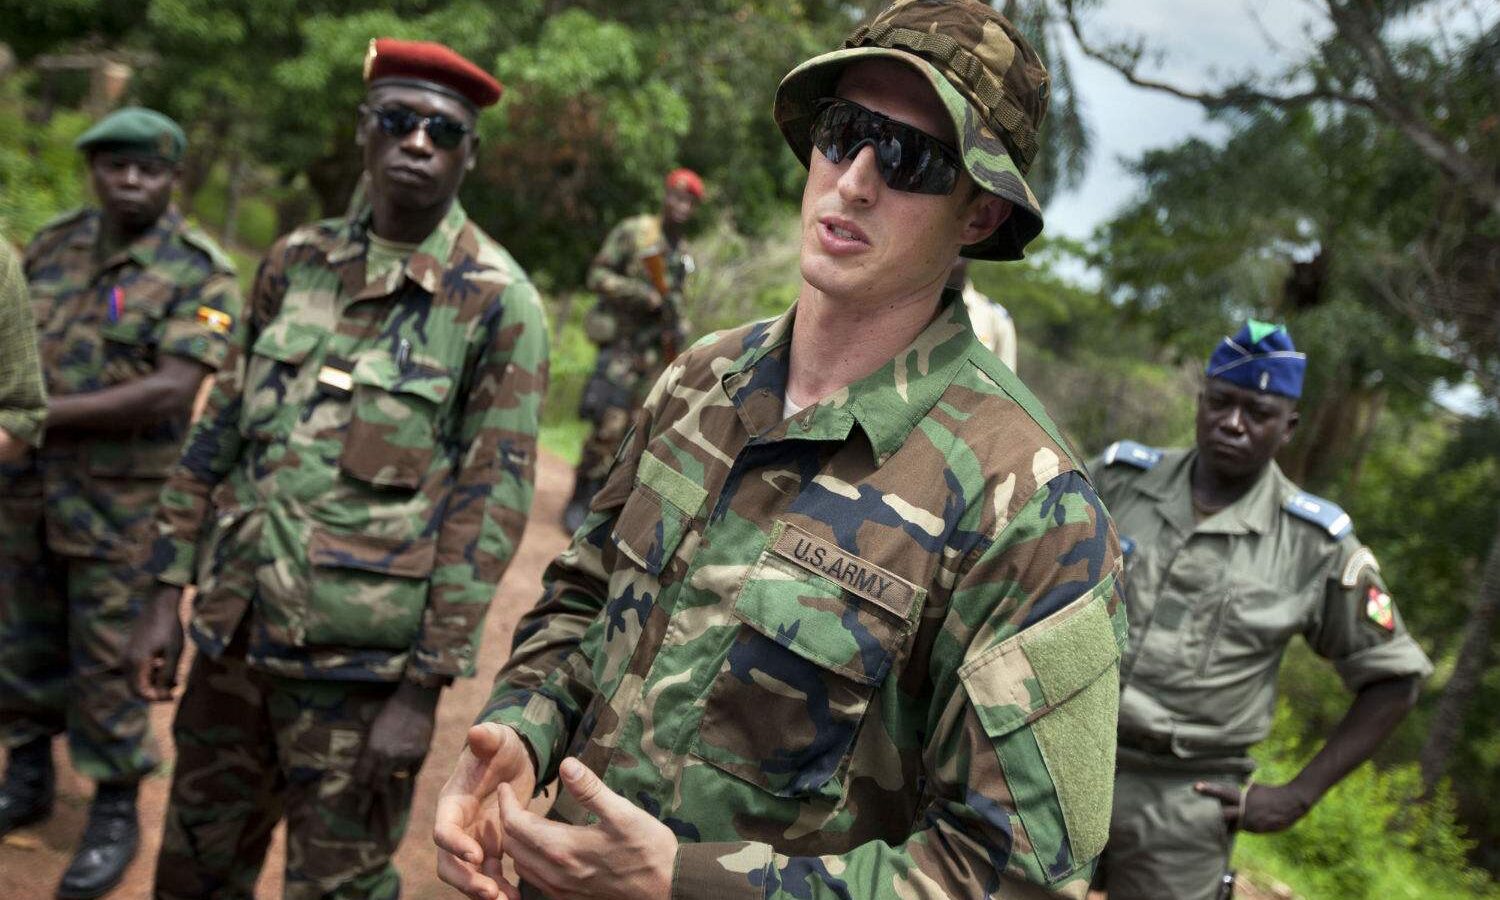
(658, 515)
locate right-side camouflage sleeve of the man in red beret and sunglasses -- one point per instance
(496, 445)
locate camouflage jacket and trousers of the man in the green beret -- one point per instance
(76, 521)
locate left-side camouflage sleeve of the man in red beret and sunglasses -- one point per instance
(215, 442)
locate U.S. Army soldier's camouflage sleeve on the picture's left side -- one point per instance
(548, 682)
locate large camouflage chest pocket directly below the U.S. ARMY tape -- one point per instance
(809, 656)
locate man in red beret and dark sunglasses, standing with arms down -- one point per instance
(361, 481)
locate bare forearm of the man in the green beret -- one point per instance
(167, 392)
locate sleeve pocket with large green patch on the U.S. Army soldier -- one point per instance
(1049, 703)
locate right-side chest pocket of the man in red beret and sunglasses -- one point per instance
(394, 427)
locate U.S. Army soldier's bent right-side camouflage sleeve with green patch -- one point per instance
(1019, 763)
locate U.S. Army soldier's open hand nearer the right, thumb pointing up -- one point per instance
(628, 856)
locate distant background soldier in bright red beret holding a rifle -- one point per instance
(637, 325)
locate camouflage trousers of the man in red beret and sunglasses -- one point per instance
(256, 748)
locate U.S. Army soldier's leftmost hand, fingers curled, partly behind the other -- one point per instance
(467, 829)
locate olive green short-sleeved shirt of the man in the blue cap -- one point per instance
(1213, 605)
